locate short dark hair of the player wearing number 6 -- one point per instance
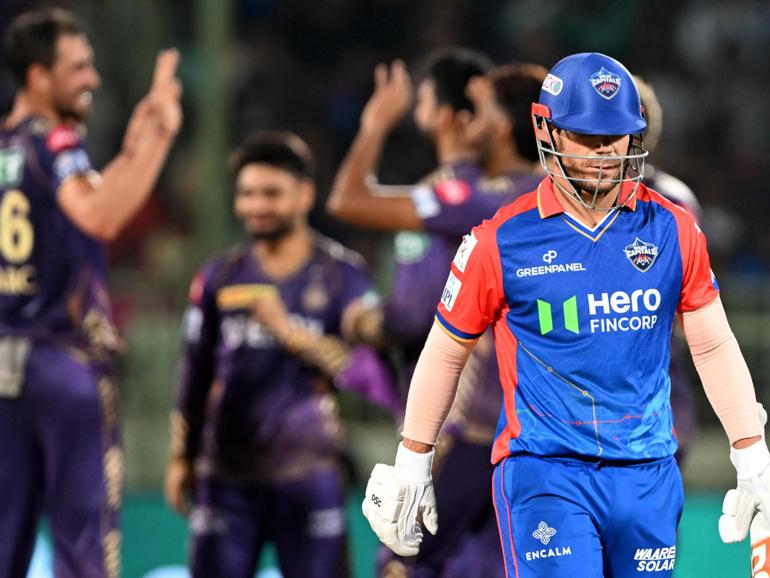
(31, 38)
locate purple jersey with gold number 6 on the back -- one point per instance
(52, 275)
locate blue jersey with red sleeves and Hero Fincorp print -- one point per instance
(582, 319)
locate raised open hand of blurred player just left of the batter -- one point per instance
(391, 99)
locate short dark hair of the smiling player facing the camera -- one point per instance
(284, 150)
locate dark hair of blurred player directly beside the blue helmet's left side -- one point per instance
(517, 86)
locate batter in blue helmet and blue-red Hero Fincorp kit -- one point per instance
(581, 281)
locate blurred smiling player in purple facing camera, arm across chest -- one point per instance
(256, 408)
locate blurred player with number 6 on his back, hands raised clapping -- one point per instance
(59, 449)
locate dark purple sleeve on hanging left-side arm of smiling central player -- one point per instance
(197, 367)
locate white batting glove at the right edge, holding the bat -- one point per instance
(752, 465)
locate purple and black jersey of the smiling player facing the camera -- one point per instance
(268, 415)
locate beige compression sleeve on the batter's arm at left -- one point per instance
(434, 385)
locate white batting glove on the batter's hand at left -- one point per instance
(396, 496)
